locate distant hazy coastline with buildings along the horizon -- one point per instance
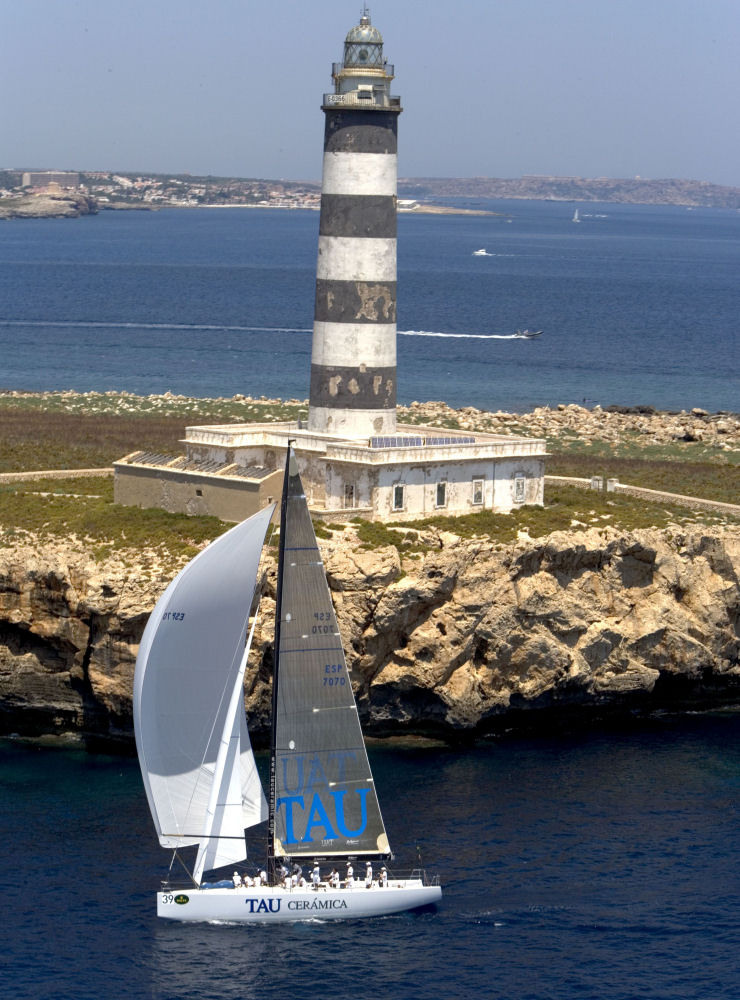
(48, 194)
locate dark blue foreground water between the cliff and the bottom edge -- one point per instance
(598, 866)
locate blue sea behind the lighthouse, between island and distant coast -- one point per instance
(639, 304)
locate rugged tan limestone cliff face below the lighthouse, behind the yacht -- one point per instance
(466, 638)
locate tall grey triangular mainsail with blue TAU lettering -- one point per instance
(324, 796)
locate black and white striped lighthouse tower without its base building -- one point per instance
(353, 358)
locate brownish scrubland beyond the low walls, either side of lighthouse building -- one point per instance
(91, 430)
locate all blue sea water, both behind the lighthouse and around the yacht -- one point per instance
(591, 866)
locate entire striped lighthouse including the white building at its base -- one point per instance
(354, 459)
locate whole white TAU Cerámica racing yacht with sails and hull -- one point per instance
(194, 750)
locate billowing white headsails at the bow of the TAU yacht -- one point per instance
(186, 673)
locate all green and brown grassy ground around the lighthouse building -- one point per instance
(66, 431)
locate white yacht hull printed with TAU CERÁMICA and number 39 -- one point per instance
(276, 904)
